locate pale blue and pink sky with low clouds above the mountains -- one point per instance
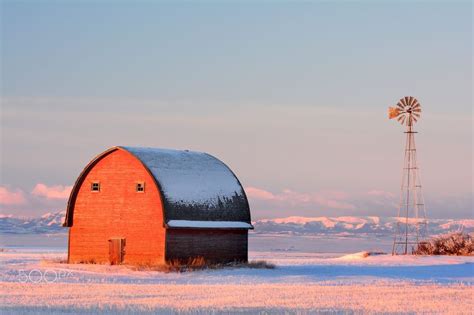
(293, 96)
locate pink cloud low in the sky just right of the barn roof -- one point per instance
(326, 198)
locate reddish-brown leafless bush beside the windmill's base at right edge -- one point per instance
(459, 244)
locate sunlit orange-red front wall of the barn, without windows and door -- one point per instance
(117, 211)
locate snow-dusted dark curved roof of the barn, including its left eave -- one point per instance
(197, 189)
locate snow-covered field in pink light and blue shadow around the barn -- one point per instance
(31, 282)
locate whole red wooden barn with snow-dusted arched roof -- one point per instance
(149, 206)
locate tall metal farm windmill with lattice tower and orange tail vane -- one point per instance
(411, 219)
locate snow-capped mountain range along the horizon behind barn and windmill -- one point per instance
(341, 226)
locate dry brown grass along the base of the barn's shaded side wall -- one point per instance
(199, 263)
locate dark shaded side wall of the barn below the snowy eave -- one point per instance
(213, 245)
